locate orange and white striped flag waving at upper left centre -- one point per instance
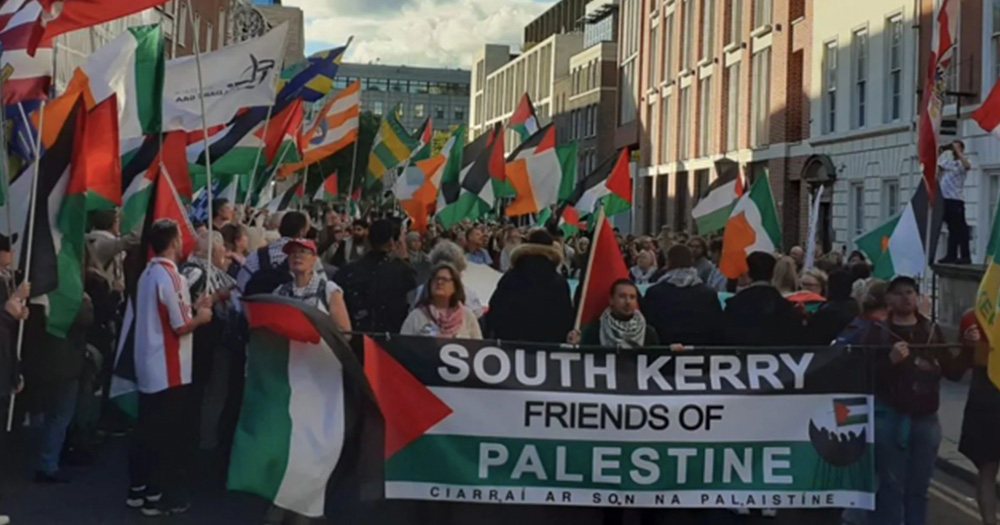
(335, 128)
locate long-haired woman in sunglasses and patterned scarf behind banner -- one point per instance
(441, 311)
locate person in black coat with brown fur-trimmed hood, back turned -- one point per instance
(531, 301)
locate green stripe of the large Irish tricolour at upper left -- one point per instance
(149, 74)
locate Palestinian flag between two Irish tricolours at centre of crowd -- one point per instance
(473, 196)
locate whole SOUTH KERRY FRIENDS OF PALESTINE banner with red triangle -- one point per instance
(519, 423)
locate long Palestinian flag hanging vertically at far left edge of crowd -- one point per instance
(60, 219)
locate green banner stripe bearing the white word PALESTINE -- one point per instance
(505, 462)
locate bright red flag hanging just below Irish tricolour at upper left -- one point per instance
(101, 165)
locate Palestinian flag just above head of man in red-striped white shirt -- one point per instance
(157, 153)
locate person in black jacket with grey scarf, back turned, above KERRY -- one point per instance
(680, 306)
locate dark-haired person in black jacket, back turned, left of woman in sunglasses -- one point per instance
(377, 285)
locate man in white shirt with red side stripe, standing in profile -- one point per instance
(163, 440)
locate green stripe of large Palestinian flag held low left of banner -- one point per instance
(267, 396)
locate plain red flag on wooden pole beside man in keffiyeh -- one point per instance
(604, 266)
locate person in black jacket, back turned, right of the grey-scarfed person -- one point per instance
(759, 315)
